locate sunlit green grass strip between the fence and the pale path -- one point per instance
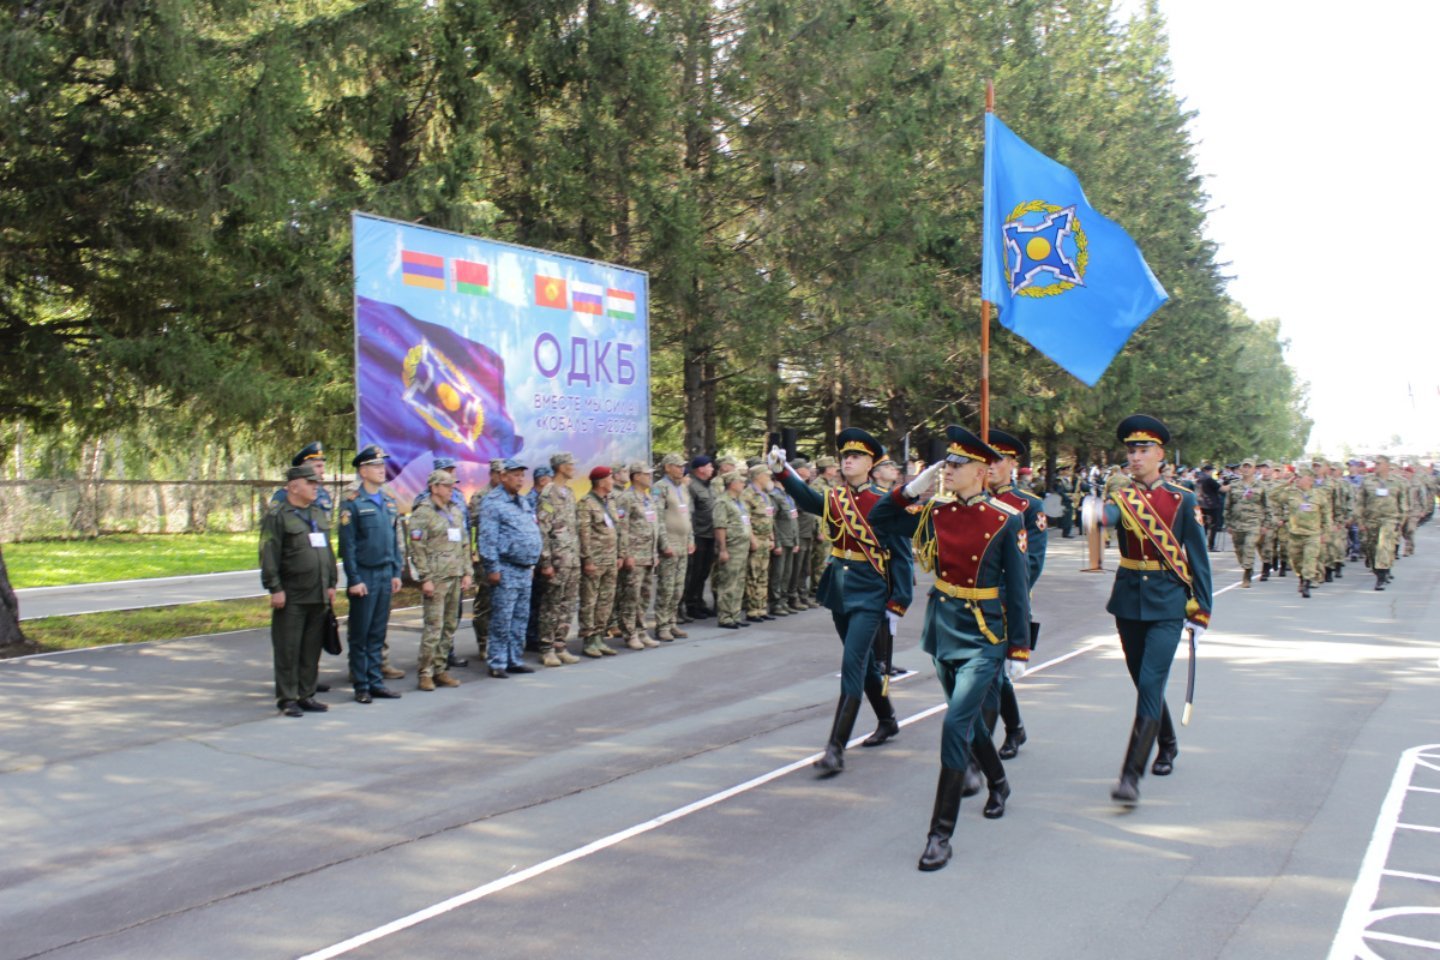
(55, 563)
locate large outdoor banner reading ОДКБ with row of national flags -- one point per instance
(479, 350)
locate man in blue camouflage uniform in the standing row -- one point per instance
(509, 545)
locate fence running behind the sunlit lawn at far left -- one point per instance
(45, 510)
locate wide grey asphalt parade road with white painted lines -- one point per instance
(659, 805)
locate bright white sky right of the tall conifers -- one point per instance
(1315, 135)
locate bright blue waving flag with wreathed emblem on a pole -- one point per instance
(1063, 277)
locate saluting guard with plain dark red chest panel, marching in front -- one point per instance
(978, 612)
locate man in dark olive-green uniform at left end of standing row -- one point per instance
(299, 572)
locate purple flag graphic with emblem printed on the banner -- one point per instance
(427, 389)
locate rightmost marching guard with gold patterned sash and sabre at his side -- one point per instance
(1161, 589)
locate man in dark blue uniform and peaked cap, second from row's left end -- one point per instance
(374, 562)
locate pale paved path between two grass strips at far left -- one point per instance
(129, 595)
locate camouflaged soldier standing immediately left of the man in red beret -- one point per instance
(559, 562)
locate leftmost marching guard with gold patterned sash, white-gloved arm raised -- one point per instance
(868, 584)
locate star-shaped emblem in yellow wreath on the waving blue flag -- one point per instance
(1046, 250)
